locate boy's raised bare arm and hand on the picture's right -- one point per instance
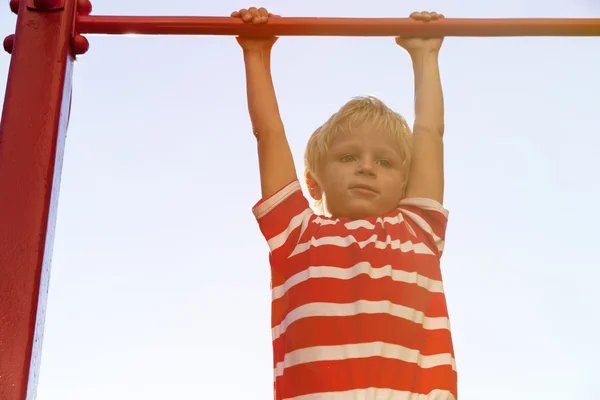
(426, 178)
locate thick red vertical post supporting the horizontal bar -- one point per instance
(32, 142)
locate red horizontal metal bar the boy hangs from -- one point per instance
(118, 25)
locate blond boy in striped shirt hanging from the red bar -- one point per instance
(358, 307)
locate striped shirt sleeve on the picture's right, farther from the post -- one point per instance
(428, 220)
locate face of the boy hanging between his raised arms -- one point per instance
(361, 176)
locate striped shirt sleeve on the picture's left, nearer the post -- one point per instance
(283, 219)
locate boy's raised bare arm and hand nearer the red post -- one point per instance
(276, 162)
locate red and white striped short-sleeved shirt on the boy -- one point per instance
(358, 307)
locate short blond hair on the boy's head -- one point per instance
(359, 110)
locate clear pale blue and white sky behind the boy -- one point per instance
(160, 280)
